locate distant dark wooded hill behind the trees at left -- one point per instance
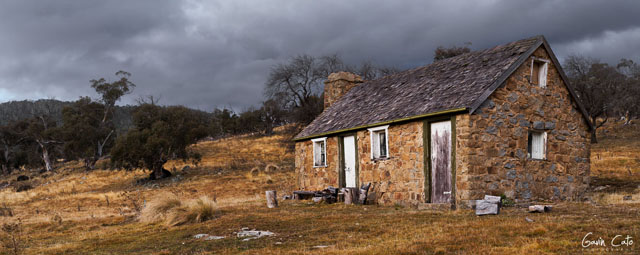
(19, 110)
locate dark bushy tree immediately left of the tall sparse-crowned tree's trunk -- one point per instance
(84, 132)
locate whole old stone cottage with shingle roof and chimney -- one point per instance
(501, 121)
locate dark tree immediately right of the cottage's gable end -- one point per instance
(597, 86)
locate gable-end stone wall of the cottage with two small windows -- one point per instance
(492, 143)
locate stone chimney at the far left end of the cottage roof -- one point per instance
(337, 85)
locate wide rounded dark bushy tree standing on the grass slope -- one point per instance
(159, 134)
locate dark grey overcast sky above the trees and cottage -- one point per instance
(207, 54)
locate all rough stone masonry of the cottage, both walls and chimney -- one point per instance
(490, 147)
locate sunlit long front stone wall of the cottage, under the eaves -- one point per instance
(397, 179)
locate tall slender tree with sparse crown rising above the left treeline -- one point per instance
(110, 93)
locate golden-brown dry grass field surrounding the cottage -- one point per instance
(76, 212)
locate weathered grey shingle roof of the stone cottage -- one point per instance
(463, 82)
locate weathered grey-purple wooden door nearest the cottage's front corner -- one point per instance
(440, 162)
